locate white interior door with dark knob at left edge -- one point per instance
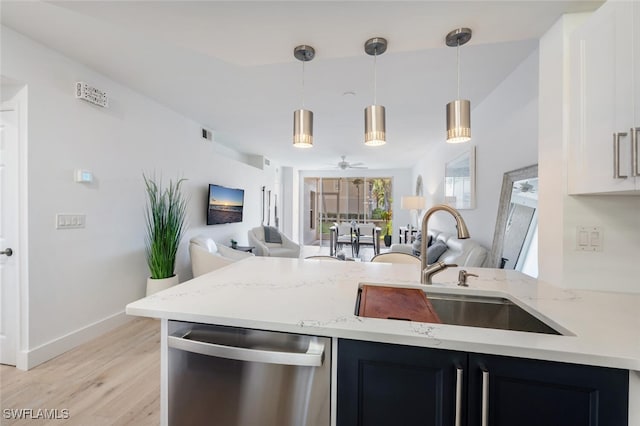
(8, 233)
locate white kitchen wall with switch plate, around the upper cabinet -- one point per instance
(616, 268)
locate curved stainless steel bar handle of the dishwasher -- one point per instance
(312, 358)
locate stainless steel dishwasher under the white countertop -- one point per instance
(227, 376)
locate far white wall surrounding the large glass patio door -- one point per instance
(401, 185)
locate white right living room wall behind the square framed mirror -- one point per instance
(505, 133)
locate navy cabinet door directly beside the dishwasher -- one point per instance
(390, 385)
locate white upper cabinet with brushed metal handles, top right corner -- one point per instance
(605, 101)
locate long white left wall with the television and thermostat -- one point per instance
(79, 278)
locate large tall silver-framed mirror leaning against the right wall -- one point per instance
(515, 236)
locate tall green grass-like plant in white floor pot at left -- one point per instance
(165, 216)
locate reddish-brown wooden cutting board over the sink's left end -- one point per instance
(409, 304)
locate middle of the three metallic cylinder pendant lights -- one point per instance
(374, 115)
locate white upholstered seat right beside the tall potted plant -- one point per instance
(207, 256)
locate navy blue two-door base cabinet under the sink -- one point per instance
(388, 385)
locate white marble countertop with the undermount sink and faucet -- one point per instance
(318, 297)
